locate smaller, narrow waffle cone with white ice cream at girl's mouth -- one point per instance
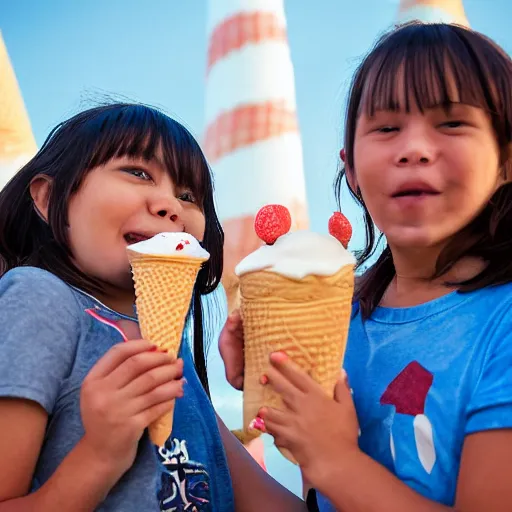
(165, 269)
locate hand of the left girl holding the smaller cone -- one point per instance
(127, 389)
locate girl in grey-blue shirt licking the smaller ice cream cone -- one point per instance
(75, 398)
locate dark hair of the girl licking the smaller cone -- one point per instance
(87, 140)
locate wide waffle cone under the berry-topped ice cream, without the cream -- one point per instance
(306, 318)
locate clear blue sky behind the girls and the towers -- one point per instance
(68, 54)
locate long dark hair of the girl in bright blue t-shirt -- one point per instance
(429, 59)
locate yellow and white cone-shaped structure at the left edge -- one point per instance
(17, 144)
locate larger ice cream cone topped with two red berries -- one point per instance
(296, 297)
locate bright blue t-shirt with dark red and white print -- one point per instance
(425, 377)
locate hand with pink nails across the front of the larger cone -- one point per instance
(319, 431)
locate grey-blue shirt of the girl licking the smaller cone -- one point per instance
(48, 344)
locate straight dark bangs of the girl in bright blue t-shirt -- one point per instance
(397, 77)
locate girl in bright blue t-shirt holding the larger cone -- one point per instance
(424, 421)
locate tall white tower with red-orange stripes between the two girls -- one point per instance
(252, 138)
